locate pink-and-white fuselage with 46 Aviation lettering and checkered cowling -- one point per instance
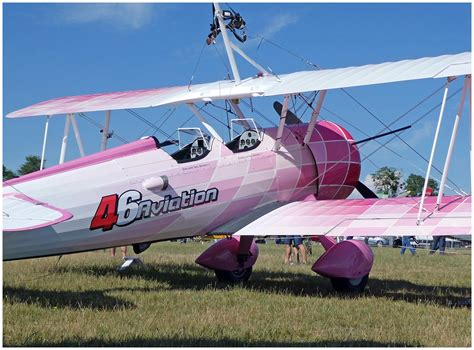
(138, 193)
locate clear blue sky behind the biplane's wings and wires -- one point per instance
(53, 50)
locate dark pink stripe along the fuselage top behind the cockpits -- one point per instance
(113, 153)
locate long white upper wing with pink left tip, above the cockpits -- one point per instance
(299, 82)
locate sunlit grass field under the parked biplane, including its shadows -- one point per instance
(84, 301)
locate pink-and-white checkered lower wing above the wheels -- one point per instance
(366, 217)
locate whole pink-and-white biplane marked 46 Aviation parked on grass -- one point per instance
(293, 179)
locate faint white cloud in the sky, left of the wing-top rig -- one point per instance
(133, 15)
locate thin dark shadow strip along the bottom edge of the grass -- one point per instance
(206, 342)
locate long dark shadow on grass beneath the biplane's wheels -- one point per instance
(194, 277)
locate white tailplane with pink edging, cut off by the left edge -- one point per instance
(22, 213)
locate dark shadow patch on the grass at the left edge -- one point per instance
(96, 300)
